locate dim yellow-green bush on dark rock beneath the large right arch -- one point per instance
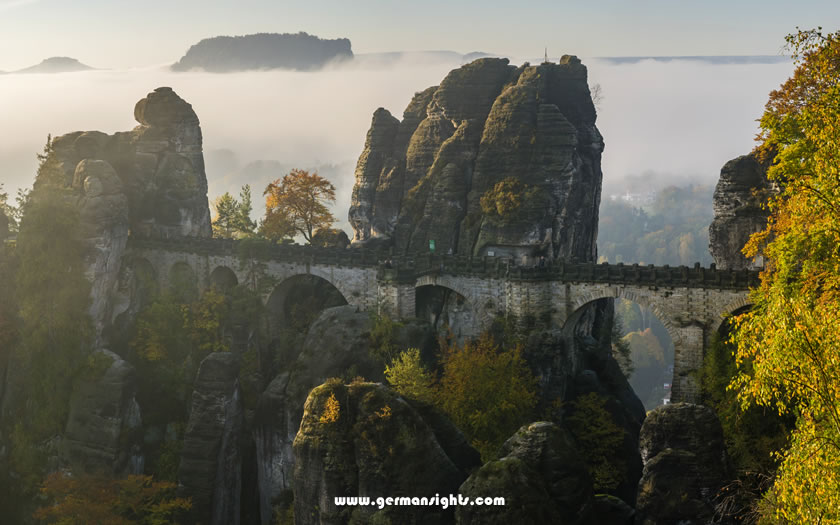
(599, 440)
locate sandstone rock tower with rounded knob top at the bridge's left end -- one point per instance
(160, 164)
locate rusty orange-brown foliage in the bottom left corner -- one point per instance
(96, 499)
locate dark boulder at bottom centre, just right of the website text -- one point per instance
(539, 473)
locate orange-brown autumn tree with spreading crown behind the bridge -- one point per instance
(297, 205)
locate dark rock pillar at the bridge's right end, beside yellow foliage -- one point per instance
(742, 189)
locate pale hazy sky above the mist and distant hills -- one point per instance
(120, 33)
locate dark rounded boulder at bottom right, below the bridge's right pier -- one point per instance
(685, 465)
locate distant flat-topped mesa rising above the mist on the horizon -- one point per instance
(300, 52)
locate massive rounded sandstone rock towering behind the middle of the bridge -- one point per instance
(498, 159)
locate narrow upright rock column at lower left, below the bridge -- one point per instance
(210, 472)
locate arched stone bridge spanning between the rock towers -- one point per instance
(690, 302)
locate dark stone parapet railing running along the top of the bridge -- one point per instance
(404, 268)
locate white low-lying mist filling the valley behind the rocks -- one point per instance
(665, 123)
